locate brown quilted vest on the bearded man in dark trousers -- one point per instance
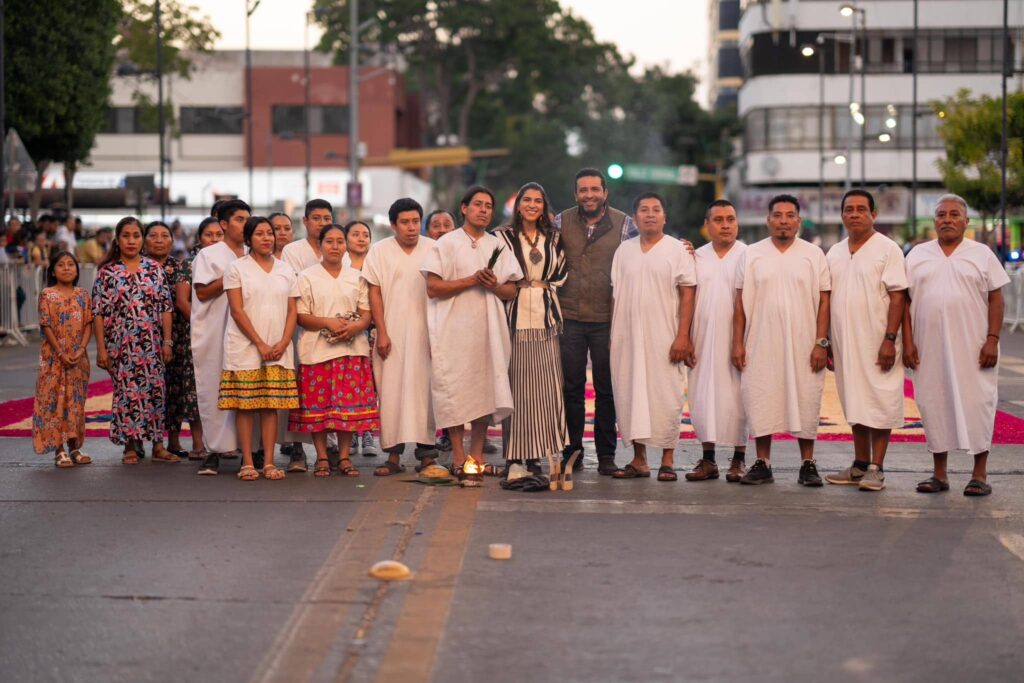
(586, 297)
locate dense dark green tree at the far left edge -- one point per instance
(58, 68)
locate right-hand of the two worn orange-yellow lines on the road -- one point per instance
(413, 650)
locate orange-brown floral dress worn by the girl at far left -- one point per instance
(59, 412)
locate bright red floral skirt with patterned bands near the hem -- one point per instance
(336, 396)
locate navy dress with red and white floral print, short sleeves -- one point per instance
(133, 305)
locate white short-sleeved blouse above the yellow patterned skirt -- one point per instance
(265, 298)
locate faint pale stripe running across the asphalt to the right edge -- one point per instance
(606, 507)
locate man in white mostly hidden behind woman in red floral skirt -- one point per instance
(302, 255)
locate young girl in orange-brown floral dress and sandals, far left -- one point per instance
(65, 318)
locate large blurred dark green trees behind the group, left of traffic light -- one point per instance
(528, 75)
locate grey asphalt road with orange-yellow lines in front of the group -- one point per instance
(152, 574)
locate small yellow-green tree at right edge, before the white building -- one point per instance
(972, 133)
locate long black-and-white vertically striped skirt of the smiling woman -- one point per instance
(538, 424)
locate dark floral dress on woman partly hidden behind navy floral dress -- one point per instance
(181, 376)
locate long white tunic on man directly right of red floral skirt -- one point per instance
(404, 378)
